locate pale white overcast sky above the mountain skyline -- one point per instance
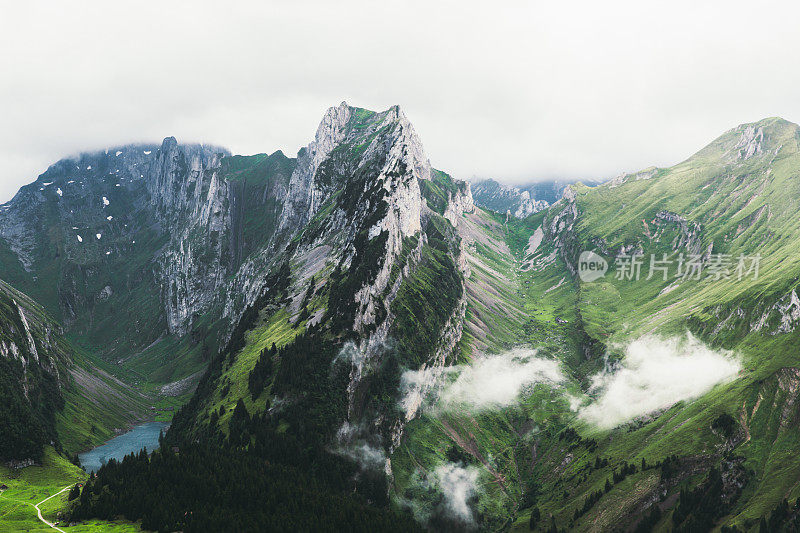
(518, 91)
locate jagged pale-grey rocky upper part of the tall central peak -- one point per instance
(356, 184)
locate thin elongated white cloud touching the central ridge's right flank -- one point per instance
(490, 382)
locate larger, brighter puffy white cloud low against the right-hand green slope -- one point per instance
(655, 374)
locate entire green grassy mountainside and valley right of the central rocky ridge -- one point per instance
(737, 196)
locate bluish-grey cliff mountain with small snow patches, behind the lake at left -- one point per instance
(160, 229)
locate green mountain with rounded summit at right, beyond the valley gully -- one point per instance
(736, 198)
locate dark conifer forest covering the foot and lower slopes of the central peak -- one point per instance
(261, 475)
